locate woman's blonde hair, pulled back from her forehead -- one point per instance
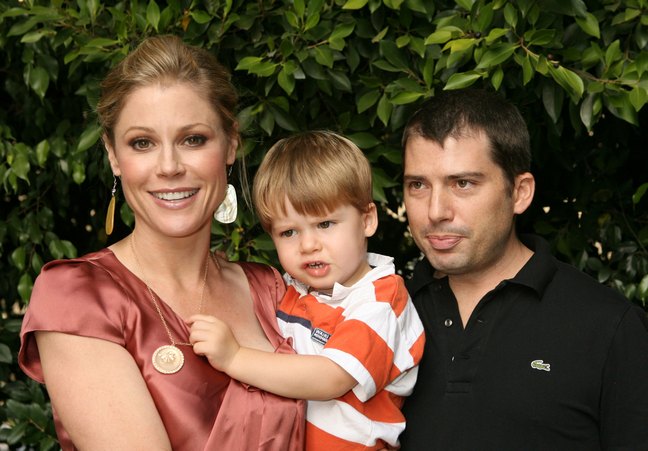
(167, 60)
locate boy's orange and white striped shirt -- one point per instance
(373, 332)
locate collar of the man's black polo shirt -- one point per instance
(536, 274)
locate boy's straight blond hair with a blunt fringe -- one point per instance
(316, 172)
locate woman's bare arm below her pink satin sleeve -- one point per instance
(99, 394)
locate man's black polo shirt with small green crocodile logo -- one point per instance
(549, 360)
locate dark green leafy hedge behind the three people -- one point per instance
(578, 72)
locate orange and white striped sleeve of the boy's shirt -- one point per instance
(379, 340)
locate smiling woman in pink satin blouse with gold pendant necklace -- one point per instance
(106, 332)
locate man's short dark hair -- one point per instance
(466, 112)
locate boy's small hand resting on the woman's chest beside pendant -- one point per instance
(213, 339)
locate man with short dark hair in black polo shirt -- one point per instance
(523, 352)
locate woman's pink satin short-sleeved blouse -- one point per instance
(202, 408)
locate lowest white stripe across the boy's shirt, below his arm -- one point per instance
(343, 421)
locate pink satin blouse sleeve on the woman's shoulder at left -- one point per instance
(75, 297)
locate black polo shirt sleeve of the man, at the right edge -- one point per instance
(624, 402)
